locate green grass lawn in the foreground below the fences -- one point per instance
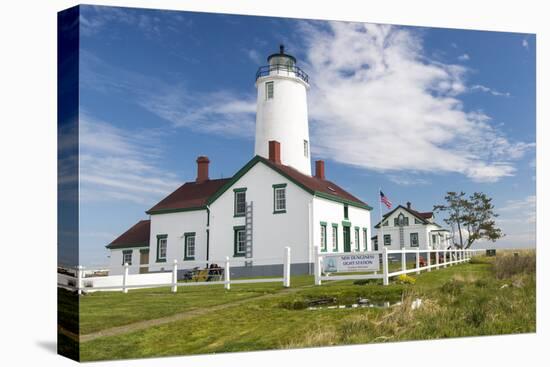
(462, 300)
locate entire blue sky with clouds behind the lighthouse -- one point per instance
(416, 111)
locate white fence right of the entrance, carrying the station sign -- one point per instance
(443, 258)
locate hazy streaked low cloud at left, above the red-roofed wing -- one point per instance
(120, 165)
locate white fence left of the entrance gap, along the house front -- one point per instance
(80, 283)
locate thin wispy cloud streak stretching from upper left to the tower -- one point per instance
(222, 112)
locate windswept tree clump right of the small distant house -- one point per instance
(475, 214)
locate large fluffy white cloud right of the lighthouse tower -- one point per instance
(378, 102)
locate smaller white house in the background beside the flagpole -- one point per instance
(404, 227)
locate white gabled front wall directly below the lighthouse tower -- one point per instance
(271, 232)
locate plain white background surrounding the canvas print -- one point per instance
(28, 185)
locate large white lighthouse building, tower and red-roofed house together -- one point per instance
(272, 202)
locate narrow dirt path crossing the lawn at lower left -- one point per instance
(176, 317)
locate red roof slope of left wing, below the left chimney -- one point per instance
(189, 195)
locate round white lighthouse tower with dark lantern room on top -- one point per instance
(281, 111)
